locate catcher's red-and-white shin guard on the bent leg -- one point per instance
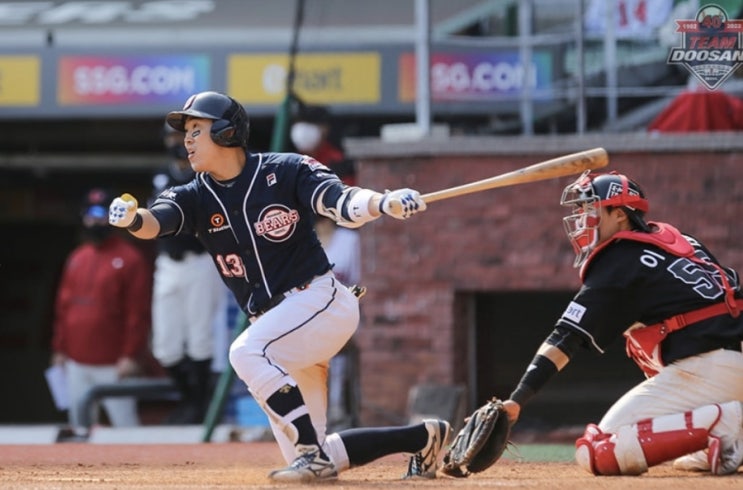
(647, 443)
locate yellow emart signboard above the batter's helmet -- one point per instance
(320, 78)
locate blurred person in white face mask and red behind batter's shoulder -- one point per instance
(310, 135)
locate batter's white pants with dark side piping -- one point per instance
(292, 344)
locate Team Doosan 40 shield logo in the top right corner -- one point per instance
(710, 46)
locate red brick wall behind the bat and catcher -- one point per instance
(508, 239)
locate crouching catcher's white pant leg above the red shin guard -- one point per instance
(713, 377)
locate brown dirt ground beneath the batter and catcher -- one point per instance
(242, 465)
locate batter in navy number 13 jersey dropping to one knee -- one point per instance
(254, 213)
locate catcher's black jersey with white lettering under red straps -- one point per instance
(630, 281)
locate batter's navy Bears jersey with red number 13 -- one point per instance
(258, 227)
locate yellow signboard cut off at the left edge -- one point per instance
(20, 80)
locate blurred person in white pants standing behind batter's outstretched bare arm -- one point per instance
(187, 295)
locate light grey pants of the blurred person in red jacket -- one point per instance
(121, 411)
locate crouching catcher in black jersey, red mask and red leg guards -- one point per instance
(679, 310)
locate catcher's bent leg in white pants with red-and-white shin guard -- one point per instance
(689, 405)
